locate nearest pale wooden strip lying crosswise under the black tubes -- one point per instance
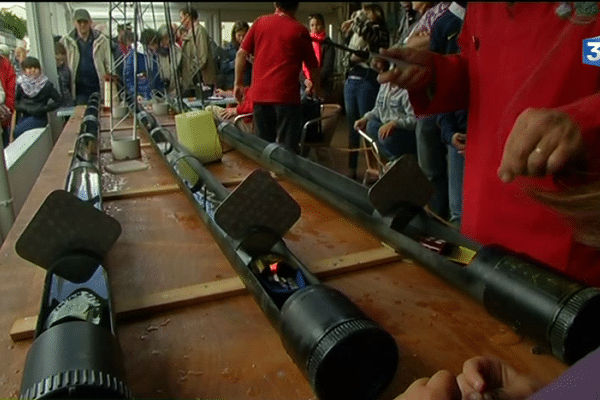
(195, 294)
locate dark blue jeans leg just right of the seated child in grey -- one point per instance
(431, 153)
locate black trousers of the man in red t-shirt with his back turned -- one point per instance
(279, 122)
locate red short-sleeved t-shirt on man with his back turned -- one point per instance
(279, 44)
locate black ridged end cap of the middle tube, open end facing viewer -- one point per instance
(344, 353)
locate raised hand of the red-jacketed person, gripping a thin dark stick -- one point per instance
(419, 75)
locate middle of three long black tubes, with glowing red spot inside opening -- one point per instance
(341, 351)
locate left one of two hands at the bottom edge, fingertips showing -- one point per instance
(441, 386)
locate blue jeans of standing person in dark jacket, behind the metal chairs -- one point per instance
(359, 98)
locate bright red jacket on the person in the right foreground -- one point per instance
(514, 57)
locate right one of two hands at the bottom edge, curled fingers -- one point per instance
(492, 378)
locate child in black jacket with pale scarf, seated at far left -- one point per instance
(34, 91)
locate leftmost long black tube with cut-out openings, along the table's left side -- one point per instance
(76, 353)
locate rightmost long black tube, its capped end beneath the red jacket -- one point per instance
(547, 306)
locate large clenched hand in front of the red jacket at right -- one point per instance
(542, 142)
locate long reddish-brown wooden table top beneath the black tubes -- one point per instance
(224, 347)
